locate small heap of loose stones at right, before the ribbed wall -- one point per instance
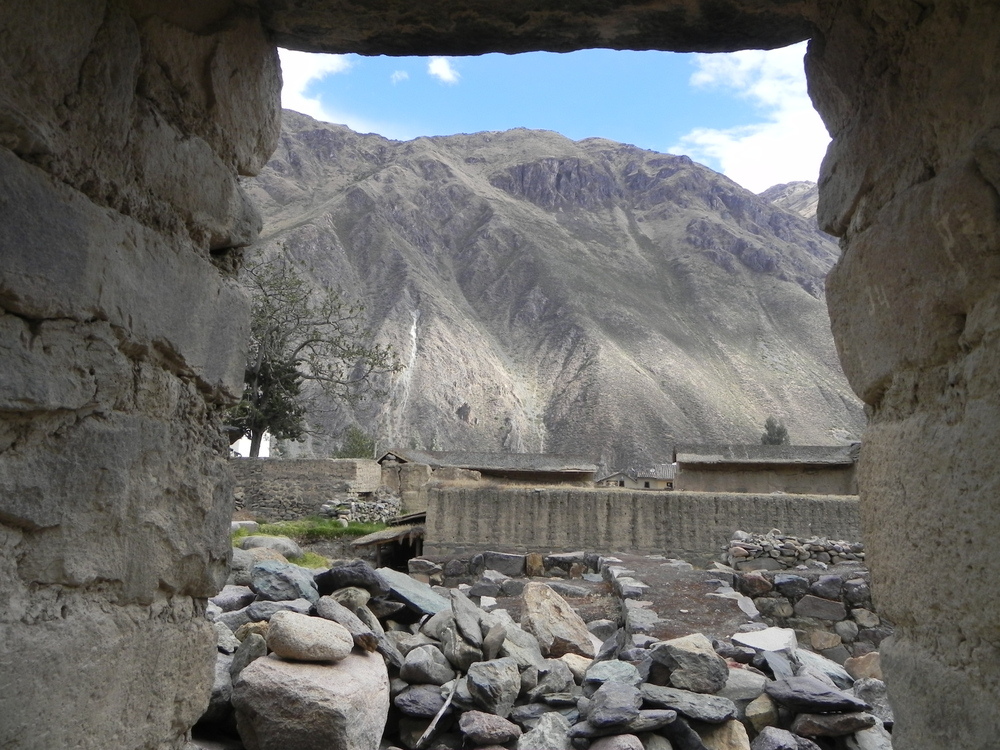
(775, 551)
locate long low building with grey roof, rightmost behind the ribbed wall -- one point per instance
(794, 469)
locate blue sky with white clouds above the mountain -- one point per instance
(745, 114)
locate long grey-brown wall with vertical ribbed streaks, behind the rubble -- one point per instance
(694, 526)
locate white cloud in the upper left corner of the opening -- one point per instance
(301, 71)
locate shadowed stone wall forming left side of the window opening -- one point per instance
(122, 136)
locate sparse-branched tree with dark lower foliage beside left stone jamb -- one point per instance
(299, 335)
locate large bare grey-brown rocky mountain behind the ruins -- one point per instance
(568, 297)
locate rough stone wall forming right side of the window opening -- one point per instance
(911, 94)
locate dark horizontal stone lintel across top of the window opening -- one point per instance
(444, 27)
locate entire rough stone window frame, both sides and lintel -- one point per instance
(124, 129)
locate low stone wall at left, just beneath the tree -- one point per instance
(284, 489)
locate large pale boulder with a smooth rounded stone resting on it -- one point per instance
(282, 705)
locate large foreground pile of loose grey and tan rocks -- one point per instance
(352, 657)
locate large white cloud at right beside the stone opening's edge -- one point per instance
(790, 141)
